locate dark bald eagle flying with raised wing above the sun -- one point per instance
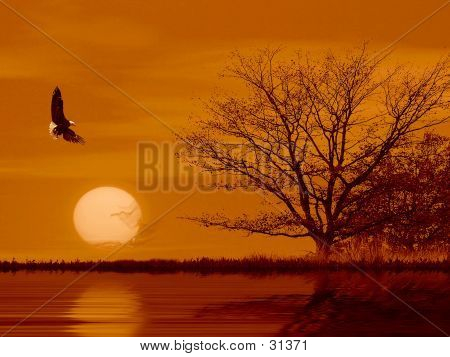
(60, 124)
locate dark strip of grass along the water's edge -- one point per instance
(250, 265)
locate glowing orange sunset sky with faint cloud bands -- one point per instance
(164, 55)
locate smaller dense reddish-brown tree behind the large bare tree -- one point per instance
(415, 196)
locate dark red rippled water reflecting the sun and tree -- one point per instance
(312, 304)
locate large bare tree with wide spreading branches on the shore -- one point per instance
(316, 131)
